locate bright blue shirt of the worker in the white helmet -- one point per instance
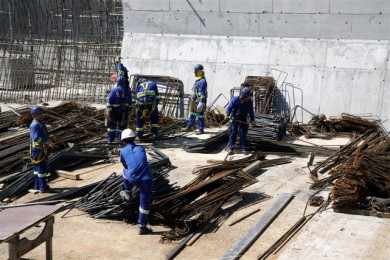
(135, 163)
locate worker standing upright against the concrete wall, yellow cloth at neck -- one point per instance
(199, 100)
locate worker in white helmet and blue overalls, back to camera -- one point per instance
(137, 173)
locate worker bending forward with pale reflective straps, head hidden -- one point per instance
(147, 107)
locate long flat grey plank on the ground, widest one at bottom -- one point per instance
(244, 243)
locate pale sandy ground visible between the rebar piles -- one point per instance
(328, 235)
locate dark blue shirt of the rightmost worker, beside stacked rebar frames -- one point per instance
(238, 110)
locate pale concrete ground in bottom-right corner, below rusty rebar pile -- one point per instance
(340, 236)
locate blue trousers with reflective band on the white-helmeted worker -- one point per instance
(145, 198)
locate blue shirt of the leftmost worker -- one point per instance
(39, 137)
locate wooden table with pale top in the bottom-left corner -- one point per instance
(15, 221)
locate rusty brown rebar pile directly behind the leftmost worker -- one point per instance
(67, 123)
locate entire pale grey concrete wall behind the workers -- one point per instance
(335, 50)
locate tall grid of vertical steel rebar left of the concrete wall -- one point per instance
(58, 49)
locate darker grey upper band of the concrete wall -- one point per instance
(344, 19)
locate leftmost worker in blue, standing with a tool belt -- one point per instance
(39, 139)
